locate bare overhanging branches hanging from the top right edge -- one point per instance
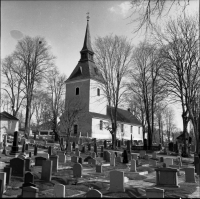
(147, 9)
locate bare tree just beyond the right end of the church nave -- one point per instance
(146, 83)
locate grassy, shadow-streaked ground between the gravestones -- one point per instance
(135, 184)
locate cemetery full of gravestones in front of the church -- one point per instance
(34, 168)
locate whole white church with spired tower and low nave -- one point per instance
(83, 85)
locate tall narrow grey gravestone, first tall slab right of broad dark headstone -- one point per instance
(46, 170)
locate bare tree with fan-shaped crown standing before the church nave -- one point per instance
(113, 59)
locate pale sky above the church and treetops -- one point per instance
(63, 25)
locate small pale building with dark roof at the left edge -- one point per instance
(9, 124)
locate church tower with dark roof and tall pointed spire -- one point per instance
(84, 85)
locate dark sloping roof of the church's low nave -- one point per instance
(122, 116)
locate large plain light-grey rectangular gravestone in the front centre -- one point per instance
(117, 181)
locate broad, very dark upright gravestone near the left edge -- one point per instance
(18, 167)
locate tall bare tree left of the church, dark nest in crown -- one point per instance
(34, 56)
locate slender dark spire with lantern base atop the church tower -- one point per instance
(87, 52)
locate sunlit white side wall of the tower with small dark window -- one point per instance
(97, 104)
